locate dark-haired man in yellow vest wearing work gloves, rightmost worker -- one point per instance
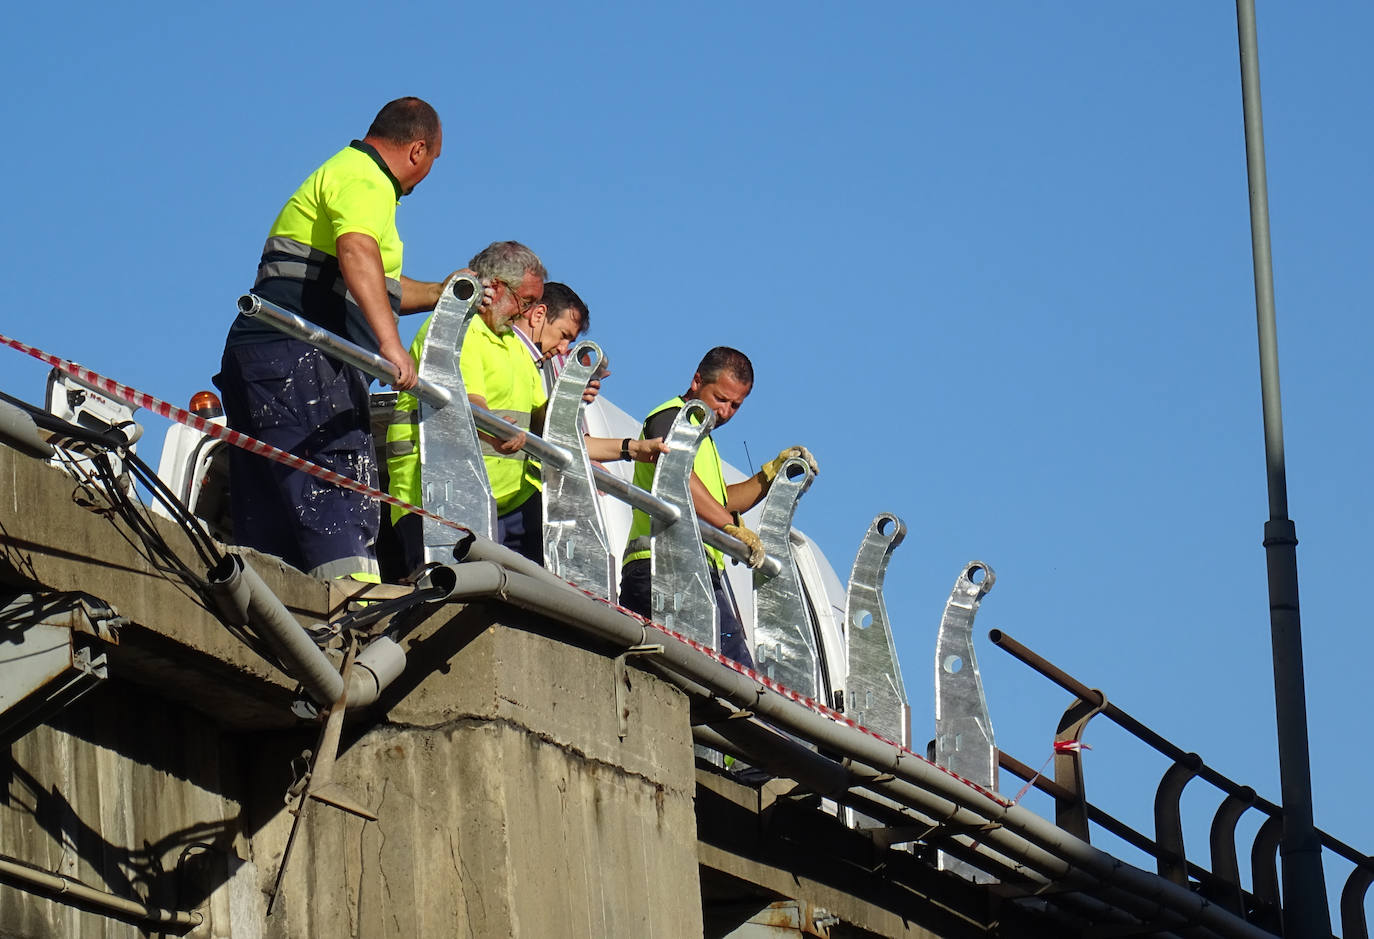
(722, 383)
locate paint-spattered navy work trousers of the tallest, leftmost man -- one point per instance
(293, 397)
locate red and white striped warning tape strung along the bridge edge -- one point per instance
(138, 399)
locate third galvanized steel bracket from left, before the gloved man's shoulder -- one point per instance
(684, 599)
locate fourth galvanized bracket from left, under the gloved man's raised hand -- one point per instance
(785, 639)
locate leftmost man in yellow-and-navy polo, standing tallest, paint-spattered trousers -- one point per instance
(335, 258)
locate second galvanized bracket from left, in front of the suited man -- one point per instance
(575, 533)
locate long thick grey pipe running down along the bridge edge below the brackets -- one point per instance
(1019, 834)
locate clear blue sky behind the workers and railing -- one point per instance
(993, 265)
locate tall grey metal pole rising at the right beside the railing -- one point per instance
(1306, 914)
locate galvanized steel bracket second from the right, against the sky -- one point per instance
(875, 692)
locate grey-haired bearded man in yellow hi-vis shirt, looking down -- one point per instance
(499, 375)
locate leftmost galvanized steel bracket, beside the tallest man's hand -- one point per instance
(453, 474)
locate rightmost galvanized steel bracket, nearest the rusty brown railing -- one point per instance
(964, 728)
